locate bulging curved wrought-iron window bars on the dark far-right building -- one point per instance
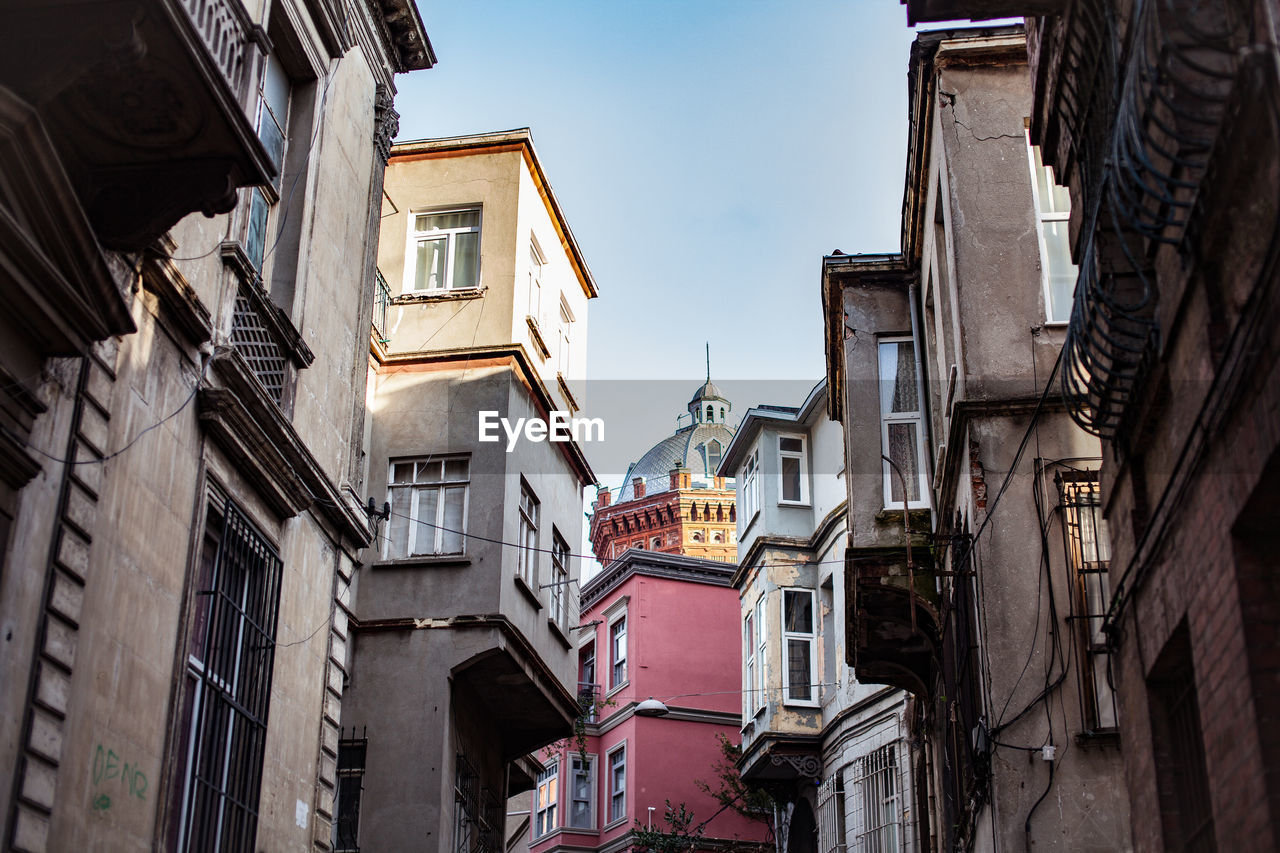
(1141, 175)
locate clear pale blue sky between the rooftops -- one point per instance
(707, 156)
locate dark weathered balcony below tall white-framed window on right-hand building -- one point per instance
(894, 626)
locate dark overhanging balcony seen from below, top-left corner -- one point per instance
(148, 104)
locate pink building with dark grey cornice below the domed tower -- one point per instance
(666, 627)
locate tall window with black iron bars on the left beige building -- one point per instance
(228, 683)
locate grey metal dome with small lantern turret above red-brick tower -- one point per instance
(700, 448)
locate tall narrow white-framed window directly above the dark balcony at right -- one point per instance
(902, 426)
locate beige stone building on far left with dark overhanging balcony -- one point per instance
(181, 413)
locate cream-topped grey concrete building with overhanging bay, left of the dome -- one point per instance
(470, 586)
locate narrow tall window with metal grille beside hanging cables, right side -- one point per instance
(1089, 553)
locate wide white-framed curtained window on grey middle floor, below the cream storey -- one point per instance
(429, 507)
